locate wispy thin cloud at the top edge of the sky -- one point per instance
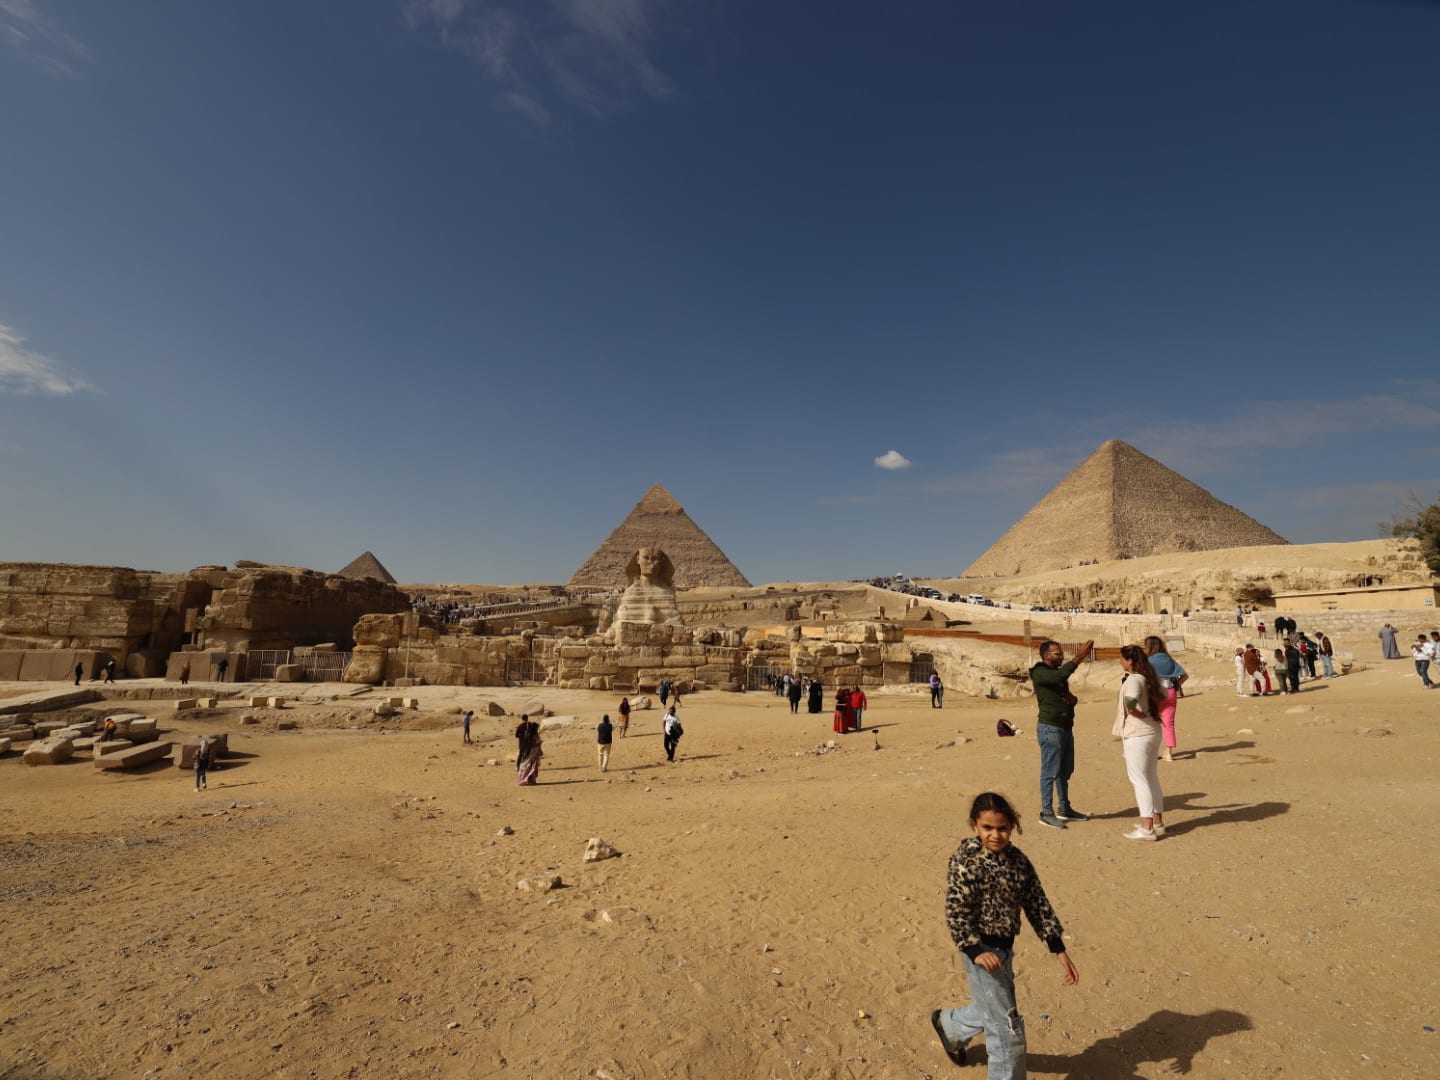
(588, 54)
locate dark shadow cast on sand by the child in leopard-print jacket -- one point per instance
(1164, 1036)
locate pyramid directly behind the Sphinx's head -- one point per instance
(659, 522)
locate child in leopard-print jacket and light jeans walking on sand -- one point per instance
(990, 885)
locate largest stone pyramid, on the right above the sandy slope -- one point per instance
(1118, 505)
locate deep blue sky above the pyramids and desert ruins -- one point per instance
(457, 280)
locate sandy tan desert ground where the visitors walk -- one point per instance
(341, 904)
